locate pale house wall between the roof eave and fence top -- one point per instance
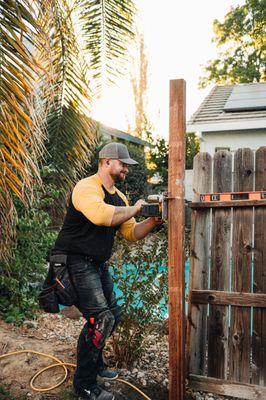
(234, 140)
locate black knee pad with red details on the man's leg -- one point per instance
(100, 328)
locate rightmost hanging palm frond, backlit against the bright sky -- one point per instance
(108, 26)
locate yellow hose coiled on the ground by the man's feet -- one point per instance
(63, 365)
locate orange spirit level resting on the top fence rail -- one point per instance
(229, 196)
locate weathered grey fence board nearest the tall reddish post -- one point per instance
(197, 315)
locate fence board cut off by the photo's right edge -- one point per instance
(259, 321)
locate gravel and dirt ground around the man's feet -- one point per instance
(58, 333)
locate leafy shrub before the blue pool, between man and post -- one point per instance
(140, 275)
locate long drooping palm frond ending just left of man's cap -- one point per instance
(71, 132)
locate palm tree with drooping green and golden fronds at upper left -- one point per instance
(45, 92)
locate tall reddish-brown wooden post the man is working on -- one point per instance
(176, 176)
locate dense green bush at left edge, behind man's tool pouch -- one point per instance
(21, 276)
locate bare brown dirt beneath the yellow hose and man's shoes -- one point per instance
(16, 371)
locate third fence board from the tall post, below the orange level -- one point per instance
(239, 338)
